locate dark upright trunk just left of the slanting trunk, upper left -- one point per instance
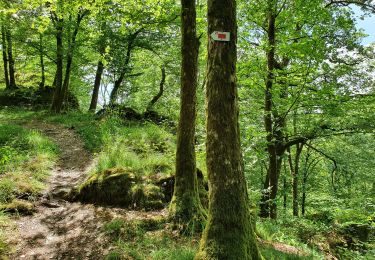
(58, 97)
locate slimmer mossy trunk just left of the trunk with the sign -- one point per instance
(185, 208)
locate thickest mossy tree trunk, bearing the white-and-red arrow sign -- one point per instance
(229, 233)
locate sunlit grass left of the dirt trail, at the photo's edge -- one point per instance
(26, 159)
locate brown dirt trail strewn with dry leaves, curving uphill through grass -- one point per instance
(60, 229)
